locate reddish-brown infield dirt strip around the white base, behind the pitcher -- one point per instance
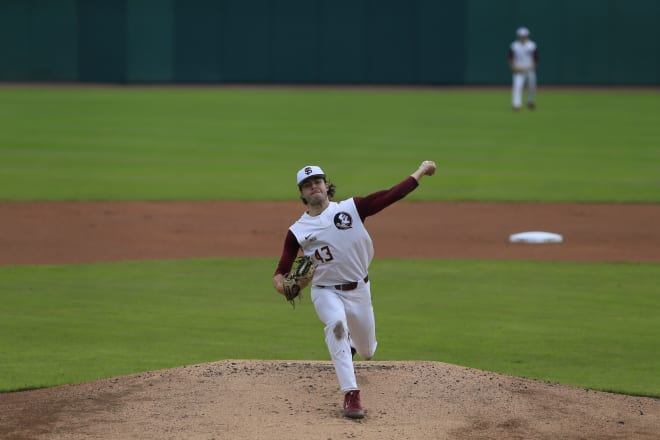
(71, 232)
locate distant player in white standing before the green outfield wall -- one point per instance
(523, 58)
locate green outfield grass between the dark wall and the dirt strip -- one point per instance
(139, 144)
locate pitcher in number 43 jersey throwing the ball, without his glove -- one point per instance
(334, 234)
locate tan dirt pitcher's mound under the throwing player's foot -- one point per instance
(237, 399)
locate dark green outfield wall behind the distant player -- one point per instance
(425, 42)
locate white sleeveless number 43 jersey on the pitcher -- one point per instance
(338, 241)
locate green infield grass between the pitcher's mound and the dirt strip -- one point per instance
(591, 325)
